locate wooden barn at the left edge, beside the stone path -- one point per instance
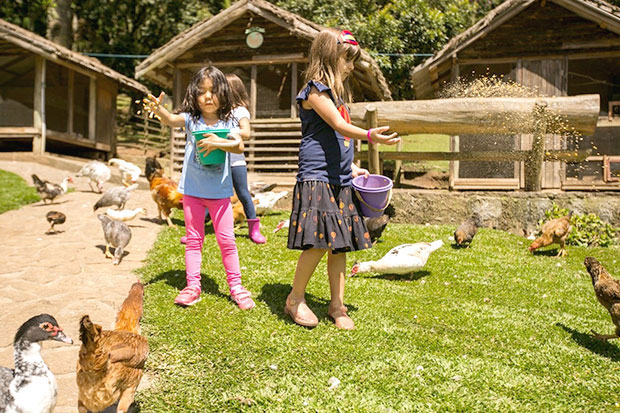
(55, 100)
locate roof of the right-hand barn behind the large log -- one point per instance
(604, 14)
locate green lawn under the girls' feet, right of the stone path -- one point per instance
(488, 328)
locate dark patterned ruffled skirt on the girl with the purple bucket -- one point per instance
(326, 216)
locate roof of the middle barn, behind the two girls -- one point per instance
(367, 70)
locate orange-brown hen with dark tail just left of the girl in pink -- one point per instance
(163, 189)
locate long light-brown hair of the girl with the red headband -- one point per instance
(325, 51)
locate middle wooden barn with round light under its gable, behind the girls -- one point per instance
(267, 47)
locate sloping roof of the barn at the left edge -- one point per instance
(12, 35)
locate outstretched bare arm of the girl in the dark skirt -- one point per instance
(324, 106)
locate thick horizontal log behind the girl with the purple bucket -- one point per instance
(482, 115)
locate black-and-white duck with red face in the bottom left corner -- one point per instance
(31, 386)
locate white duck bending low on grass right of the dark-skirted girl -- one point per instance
(403, 259)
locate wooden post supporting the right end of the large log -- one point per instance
(534, 162)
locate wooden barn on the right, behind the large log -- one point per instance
(559, 47)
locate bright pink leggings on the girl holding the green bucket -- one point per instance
(222, 218)
